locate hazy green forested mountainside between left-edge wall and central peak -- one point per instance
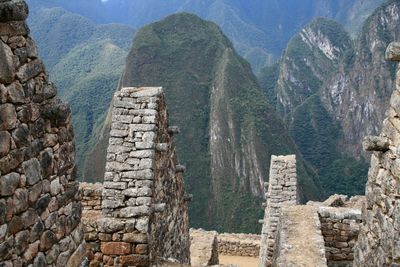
(85, 65)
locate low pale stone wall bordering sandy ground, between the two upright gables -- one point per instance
(239, 244)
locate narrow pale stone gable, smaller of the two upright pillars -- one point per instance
(282, 190)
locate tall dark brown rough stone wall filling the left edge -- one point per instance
(39, 205)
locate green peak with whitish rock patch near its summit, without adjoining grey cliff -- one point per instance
(309, 61)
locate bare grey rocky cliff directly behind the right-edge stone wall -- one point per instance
(357, 94)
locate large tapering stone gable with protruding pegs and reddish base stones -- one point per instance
(144, 215)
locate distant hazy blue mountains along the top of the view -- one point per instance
(259, 29)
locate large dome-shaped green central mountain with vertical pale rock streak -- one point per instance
(228, 130)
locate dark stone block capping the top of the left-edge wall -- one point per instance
(15, 10)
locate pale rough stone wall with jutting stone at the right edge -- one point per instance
(379, 239)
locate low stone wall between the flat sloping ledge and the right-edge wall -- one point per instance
(340, 228)
